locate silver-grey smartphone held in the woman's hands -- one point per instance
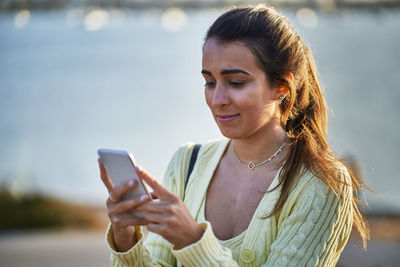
(120, 166)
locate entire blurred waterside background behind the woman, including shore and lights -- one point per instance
(78, 75)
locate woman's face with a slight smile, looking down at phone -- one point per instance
(237, 91)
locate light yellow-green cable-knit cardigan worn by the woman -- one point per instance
(311, 229)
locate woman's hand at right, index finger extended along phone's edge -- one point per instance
(168, 217)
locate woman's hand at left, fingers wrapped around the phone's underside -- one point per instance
(122, 222)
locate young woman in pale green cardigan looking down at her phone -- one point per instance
(272, 193)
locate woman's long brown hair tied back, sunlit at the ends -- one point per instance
(279, 51)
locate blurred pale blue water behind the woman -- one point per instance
(64, 92)
